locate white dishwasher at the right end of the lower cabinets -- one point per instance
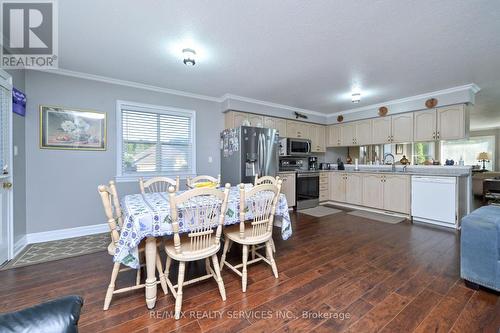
(434, 200)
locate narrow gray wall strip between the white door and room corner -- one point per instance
(19, 163)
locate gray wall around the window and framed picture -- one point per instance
(63, 184)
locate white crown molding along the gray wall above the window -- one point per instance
(126, 83)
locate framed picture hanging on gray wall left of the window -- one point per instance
(66, 128)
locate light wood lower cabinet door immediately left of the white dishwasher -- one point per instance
(397, 193)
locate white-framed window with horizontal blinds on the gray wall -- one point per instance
(155, 140)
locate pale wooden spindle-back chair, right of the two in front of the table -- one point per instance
(262, 200)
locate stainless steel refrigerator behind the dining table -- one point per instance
(247, 152)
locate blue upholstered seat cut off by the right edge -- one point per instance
(480, 247)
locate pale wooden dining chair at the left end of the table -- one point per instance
(113, 212)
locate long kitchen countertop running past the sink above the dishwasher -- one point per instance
(441, 171)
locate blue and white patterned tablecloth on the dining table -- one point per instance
(148, 215)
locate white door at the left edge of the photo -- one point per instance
(5, 163)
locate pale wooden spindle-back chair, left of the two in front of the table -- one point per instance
(203, 211)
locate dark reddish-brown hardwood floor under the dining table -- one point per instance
(337, 273)
